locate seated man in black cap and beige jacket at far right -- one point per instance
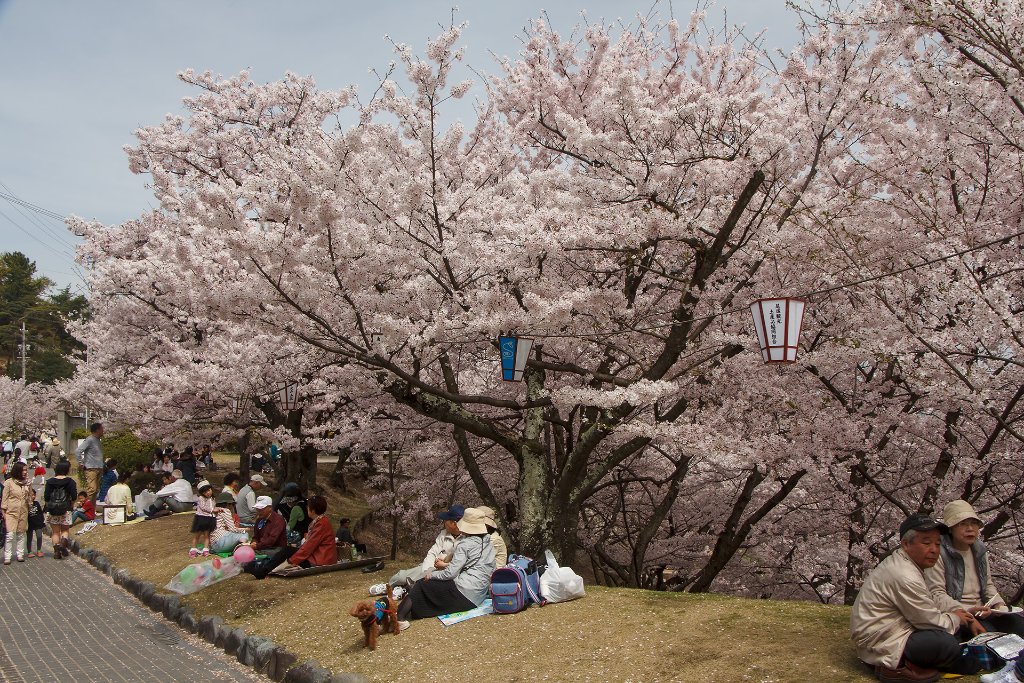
(897, 624)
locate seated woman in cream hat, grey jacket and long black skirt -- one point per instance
(465, 581)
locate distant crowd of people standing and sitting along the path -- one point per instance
(285, 530)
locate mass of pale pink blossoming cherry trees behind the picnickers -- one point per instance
(621, 197)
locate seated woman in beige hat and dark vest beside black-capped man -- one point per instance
(961, 580)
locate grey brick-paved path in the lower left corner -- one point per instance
(64, 621)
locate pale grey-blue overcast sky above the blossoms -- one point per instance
(80, 77)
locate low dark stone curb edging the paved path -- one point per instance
(261, 654)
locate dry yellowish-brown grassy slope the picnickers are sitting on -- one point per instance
(611, 635)
